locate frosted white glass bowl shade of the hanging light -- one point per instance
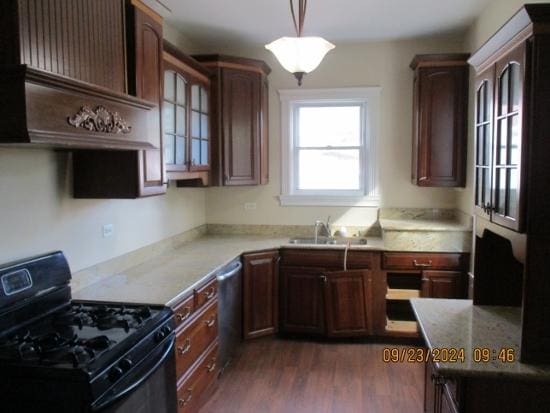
(300, 54)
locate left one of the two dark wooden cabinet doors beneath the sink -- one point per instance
(302, 300)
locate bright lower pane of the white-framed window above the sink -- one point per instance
(329, 169)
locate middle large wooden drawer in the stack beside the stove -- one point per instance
(193, 339)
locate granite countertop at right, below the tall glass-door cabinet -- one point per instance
(458, 324)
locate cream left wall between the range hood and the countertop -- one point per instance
(38, 213)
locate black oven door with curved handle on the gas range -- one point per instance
(150, 389)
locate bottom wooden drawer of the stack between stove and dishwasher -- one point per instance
(194, 385)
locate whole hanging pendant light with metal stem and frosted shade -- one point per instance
(299, 55)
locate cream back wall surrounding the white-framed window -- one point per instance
(384, 64)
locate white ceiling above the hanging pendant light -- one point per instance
(255, 22)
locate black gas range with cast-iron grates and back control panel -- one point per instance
(63, 355)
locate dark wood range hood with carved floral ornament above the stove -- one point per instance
(63, 78)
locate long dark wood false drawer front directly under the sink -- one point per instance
(332, 259)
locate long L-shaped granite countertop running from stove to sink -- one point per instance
(169, 276)
